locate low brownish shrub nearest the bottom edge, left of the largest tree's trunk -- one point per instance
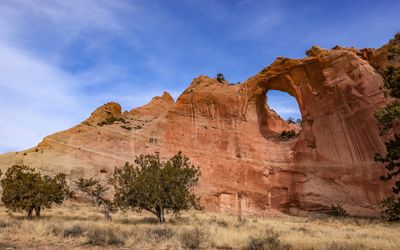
(105, 236)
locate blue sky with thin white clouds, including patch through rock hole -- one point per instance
(59, 60)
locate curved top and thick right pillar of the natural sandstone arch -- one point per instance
(339, 133)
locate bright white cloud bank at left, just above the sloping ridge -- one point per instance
(38, 98)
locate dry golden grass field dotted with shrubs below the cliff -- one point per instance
(79, 226)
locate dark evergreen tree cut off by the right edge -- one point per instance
(388, 117)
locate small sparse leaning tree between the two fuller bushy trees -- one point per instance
(97, 193)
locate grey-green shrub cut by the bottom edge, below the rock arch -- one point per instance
(268, 242)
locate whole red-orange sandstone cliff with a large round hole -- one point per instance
(230, 132)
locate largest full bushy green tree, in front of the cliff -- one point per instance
(157, 186)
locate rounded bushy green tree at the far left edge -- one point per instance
(25, 189)
